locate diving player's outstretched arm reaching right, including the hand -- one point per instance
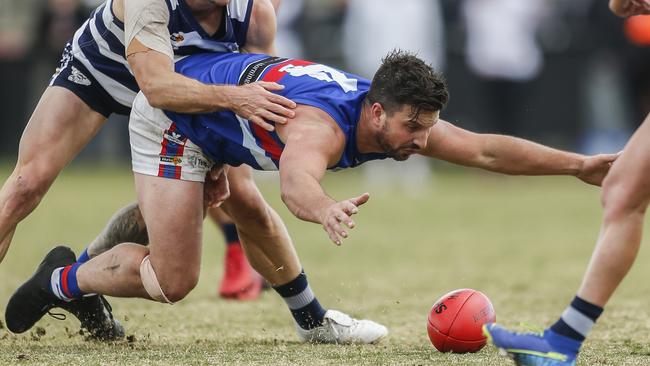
(512, 155)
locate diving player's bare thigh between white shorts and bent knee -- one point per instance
(173, 212)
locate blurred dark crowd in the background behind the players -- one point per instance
(563, 72)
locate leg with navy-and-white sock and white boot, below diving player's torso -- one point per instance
(271, 252)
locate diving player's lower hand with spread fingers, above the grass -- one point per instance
(336, 219)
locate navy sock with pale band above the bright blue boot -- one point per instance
(577, 320)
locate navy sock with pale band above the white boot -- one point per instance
(304, 306)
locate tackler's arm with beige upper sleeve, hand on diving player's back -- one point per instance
(153, 69)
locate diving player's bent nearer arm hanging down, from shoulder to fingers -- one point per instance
(311, 146)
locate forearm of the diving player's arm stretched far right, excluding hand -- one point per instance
(511, 155)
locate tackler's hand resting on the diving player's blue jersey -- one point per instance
(257, 103)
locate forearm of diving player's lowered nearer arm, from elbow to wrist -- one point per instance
(304, 197)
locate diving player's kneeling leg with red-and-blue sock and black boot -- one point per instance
(174, 255)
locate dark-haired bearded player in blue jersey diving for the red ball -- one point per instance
(341, 121)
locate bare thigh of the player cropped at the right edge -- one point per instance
(629, 178)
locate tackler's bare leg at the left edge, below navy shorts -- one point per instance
(60, 126)
